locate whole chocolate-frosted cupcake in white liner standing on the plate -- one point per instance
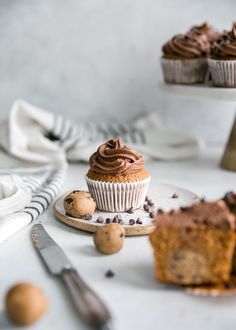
(117, 179)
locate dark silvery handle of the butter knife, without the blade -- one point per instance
(88, 304)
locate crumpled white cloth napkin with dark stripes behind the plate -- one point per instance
(47, 141)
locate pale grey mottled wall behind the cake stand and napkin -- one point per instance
(99, 59)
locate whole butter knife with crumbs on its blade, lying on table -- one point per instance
(89, 306)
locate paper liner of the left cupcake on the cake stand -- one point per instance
(184, 71)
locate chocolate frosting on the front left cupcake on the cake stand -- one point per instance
(189, 46)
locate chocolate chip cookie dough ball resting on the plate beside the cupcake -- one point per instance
(79, 204)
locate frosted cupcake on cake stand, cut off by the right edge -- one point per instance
(222, 63)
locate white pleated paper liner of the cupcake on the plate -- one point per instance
(118, 197)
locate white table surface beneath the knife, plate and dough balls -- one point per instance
(136, 300)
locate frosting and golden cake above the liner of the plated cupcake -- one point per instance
(114, 161)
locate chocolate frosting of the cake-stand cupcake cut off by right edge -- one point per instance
(226, 45)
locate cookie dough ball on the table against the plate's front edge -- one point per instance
(109, 238)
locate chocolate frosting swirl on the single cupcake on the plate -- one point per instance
(113, 157)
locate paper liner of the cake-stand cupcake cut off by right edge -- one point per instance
(223, 72)
